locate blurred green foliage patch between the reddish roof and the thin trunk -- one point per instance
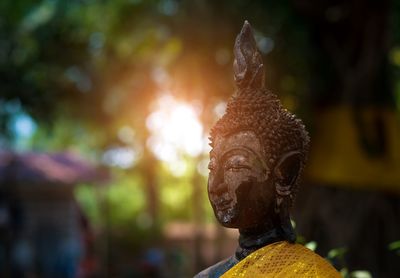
(118, 211)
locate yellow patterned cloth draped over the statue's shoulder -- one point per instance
(283, 260)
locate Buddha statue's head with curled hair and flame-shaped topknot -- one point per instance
(258, 149)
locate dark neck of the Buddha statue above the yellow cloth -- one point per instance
(252, 239)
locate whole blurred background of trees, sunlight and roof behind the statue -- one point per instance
(105, 110)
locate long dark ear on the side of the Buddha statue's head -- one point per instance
(286, 172)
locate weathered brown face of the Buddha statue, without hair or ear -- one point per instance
(240, 187)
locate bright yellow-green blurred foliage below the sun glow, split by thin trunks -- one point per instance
(121, 207)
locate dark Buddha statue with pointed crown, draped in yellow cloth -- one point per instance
(259, 150)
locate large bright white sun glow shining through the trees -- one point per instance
(175, 131)
